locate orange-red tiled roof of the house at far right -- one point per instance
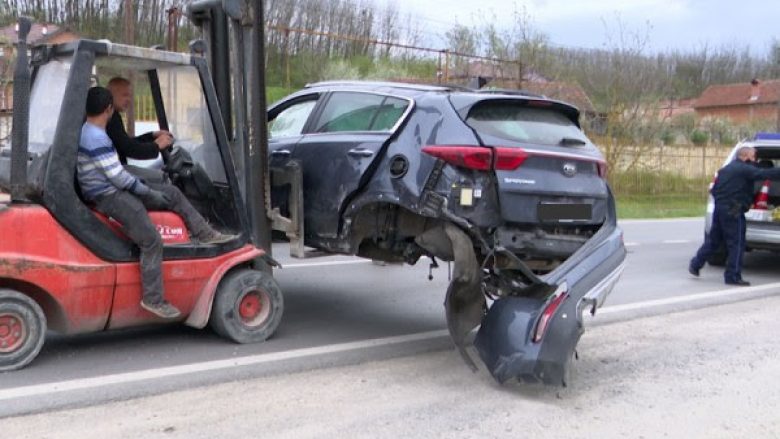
(725, 95)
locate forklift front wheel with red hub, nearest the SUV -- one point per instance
(248, 306)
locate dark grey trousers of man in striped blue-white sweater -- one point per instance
(131, 212)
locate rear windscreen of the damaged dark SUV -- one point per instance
(521, 123)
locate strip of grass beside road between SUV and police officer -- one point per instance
(660, 206)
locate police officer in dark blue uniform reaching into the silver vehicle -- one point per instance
(733, 193)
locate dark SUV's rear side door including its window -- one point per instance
(340, 144)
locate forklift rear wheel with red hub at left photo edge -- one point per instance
(22, 330)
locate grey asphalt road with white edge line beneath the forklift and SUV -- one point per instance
(341, 310)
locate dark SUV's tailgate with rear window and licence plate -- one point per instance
(547, 171)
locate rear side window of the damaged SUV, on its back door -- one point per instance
(354, 111)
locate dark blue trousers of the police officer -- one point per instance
(729, 229)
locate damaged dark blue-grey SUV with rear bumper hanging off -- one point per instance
(504, 185)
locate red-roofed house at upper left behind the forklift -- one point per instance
(39, 34)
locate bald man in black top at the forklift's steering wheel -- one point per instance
(143, 147)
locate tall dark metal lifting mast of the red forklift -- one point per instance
(235, 50)
